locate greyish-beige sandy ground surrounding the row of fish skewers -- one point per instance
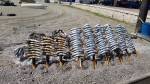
(15, 30)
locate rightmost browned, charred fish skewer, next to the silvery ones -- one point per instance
(61, 45)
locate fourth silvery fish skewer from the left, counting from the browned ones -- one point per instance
(112, 45)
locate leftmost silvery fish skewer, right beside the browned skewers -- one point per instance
(77, 45)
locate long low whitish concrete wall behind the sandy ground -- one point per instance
(122, 15)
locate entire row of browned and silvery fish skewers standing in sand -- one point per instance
(101, 43)
